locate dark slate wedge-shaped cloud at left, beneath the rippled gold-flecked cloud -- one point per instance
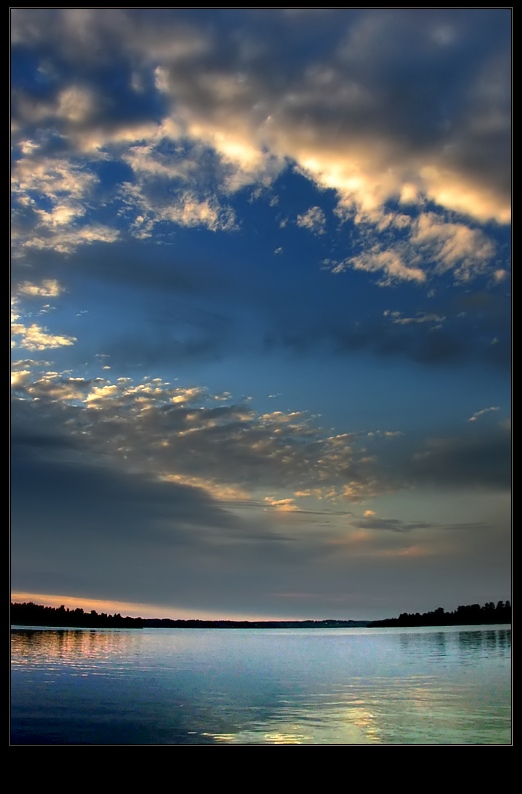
(96, 497)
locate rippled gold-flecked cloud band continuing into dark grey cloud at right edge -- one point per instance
(187, 435)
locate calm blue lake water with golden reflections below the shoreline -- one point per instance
(446, 686)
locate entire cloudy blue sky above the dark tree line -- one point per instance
(261, 332)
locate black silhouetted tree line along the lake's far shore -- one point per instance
(30, 614)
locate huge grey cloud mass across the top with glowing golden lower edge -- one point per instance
(348, 118)
